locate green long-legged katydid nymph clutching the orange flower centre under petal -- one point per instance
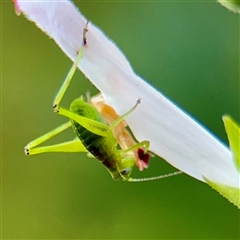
(99, 131)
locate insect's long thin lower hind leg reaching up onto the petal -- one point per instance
(68, 79)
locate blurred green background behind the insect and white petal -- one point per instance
(188, 50)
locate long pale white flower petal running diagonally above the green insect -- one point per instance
(173, 135)
